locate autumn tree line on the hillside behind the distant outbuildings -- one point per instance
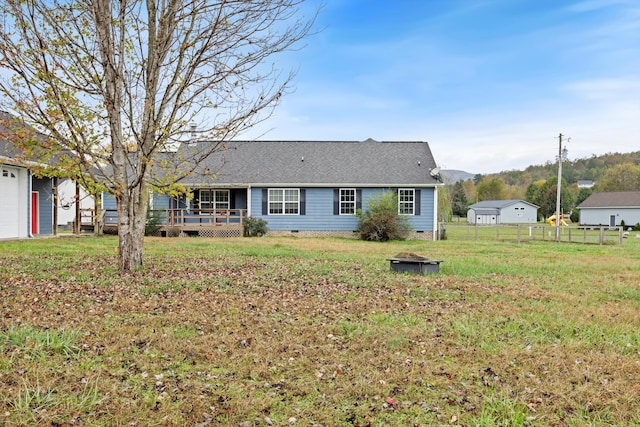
(537, 184)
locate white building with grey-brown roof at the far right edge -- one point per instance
(611, 208)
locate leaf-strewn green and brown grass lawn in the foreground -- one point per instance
(319, 332)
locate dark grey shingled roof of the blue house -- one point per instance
(316, 163)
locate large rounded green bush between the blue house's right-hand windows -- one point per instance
(381, 222)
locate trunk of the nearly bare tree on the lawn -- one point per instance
(132, 214)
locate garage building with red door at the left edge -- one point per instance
(27, 207)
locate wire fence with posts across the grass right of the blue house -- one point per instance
(520, 233)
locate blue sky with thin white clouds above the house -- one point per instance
(490, 84)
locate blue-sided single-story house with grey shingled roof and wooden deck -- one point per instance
(304, 188)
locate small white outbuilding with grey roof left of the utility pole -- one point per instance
(502, 212)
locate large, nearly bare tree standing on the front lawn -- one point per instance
(118, 84)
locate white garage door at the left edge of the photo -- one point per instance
(9, 202)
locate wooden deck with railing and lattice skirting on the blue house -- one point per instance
(188, 222)
